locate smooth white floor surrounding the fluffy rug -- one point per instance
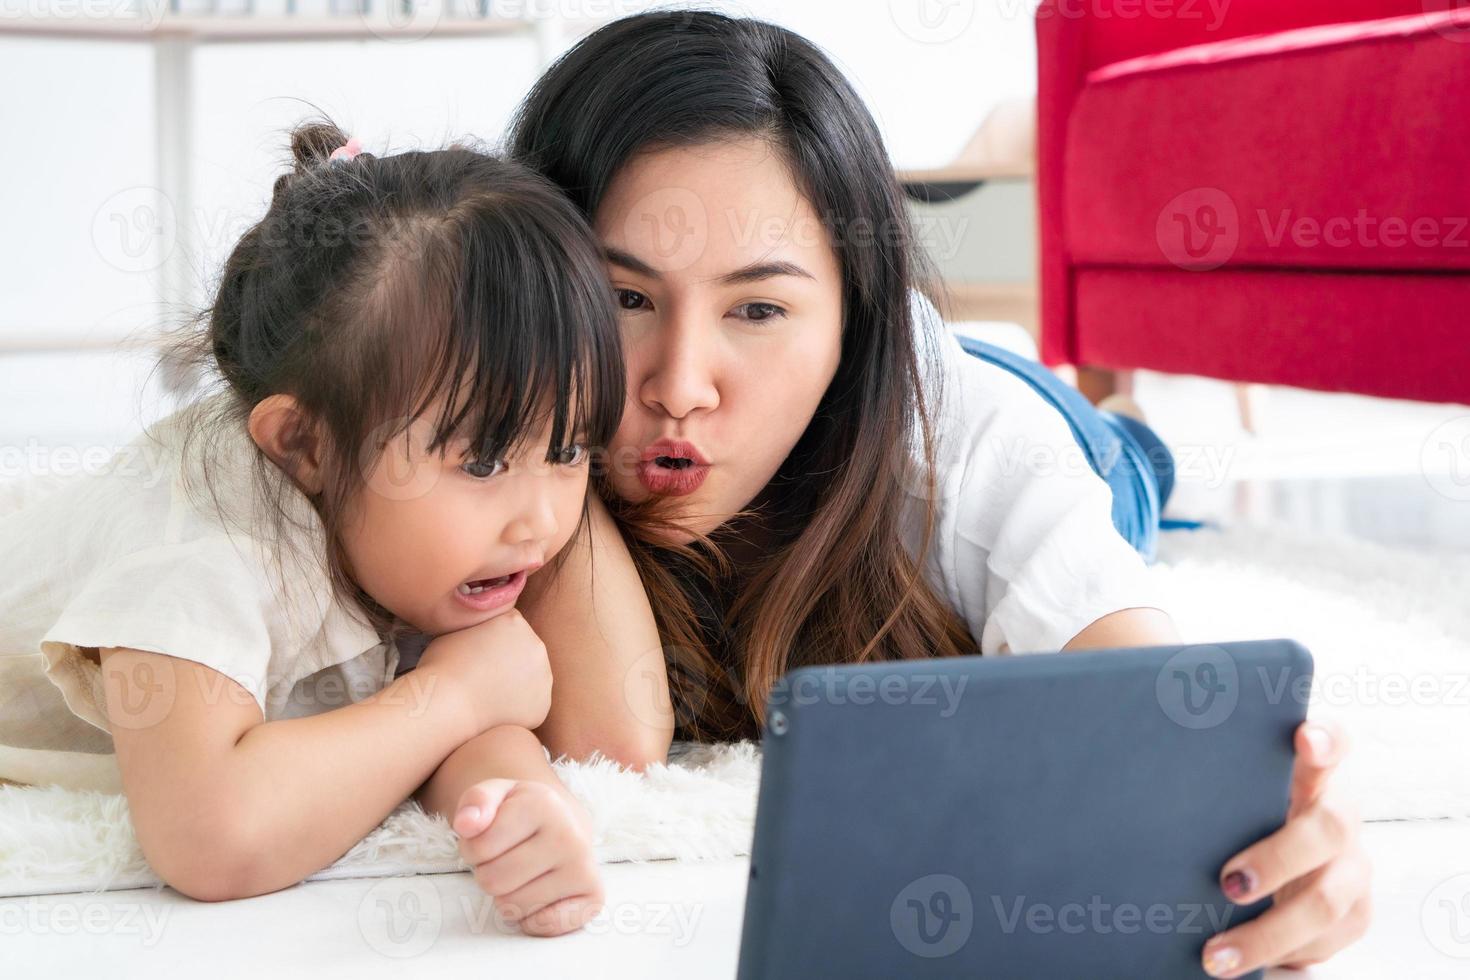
(1343, 465)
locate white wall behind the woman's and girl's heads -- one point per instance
(77, 127)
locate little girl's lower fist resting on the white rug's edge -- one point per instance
(531, 850)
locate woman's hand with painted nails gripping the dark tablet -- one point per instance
(1315, 866)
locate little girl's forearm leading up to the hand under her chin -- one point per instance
(321, 784)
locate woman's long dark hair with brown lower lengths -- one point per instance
(840, 586)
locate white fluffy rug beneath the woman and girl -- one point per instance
(1390, 633)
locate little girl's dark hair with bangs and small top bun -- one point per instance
(374, 287)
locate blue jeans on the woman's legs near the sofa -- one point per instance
(1124, 452)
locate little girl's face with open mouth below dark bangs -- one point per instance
(423, 528)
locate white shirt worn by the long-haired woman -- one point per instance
(1025, 549)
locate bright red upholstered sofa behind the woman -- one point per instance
(1259, 190)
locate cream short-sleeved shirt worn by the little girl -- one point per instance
(137, 556)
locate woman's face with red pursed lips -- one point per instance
(731, 303)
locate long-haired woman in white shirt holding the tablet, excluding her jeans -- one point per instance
(811, 472)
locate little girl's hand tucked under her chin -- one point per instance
(498, 669)
